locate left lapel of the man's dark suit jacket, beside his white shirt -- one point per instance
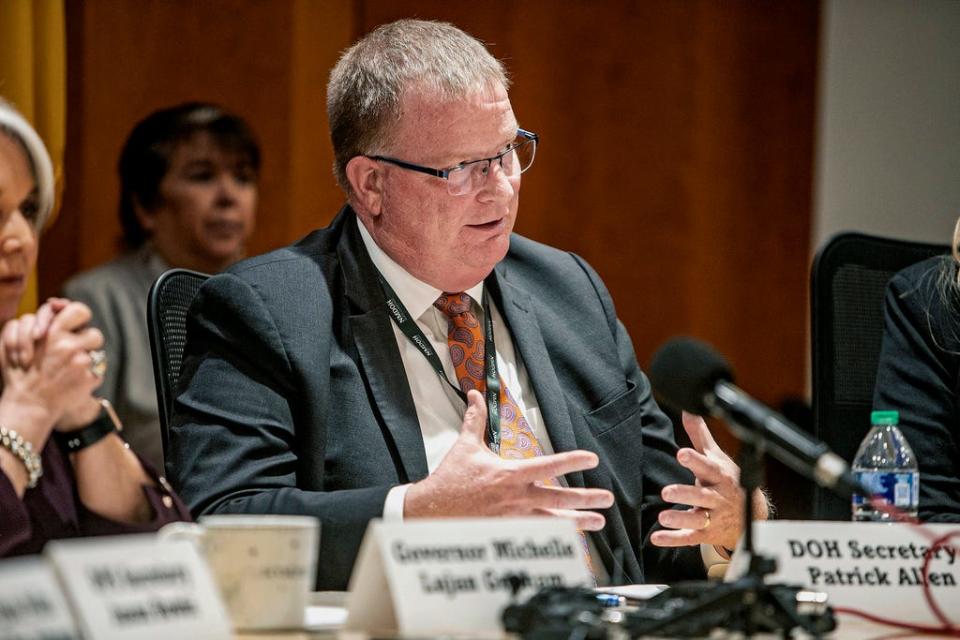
(377, 346)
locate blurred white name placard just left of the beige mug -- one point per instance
(139, 587)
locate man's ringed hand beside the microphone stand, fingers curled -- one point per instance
(716, 516)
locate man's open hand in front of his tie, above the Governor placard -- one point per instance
(473, 481)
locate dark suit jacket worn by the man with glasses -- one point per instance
(293, 398)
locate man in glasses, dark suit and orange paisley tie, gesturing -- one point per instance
(345, 376)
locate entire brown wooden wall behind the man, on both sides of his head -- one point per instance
(676, 158)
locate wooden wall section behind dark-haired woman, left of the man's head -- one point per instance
(266, 61)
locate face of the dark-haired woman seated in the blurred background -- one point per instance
(207, 206)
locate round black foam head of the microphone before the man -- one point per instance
(685, 372)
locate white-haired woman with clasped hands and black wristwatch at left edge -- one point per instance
(64, 469)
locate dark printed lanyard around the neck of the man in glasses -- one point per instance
(409, 327)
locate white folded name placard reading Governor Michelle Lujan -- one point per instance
(449, 576)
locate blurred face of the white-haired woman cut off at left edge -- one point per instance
(18, 235)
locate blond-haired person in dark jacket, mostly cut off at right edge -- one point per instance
(919, 375)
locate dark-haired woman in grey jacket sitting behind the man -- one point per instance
(188, 197)
